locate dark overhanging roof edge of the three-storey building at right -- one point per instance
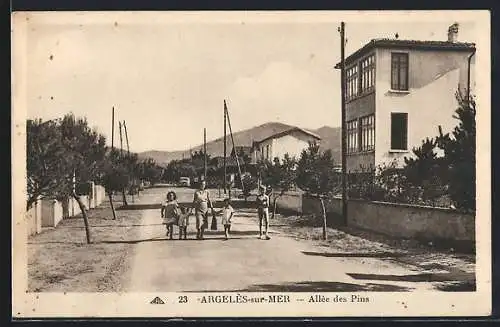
(408, 44)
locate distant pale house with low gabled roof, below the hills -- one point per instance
(291, 141)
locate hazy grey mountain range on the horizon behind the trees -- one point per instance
(330, 139)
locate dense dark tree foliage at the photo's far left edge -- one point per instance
(58, 151)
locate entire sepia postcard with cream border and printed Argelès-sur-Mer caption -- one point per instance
(177, 164)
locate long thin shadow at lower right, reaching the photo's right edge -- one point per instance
(423, 277)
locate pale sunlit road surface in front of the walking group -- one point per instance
(246, 263)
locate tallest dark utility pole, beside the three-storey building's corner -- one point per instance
(344, 124)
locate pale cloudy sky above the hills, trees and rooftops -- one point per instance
(168, 78)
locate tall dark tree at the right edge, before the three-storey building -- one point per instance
(460, 154)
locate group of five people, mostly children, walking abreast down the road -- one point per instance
(174, 214)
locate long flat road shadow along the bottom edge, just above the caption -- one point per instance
(321, 286)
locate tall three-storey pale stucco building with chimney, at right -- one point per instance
(399, 91)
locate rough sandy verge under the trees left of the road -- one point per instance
(60, 260)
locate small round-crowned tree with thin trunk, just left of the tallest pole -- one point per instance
(316, 175)
